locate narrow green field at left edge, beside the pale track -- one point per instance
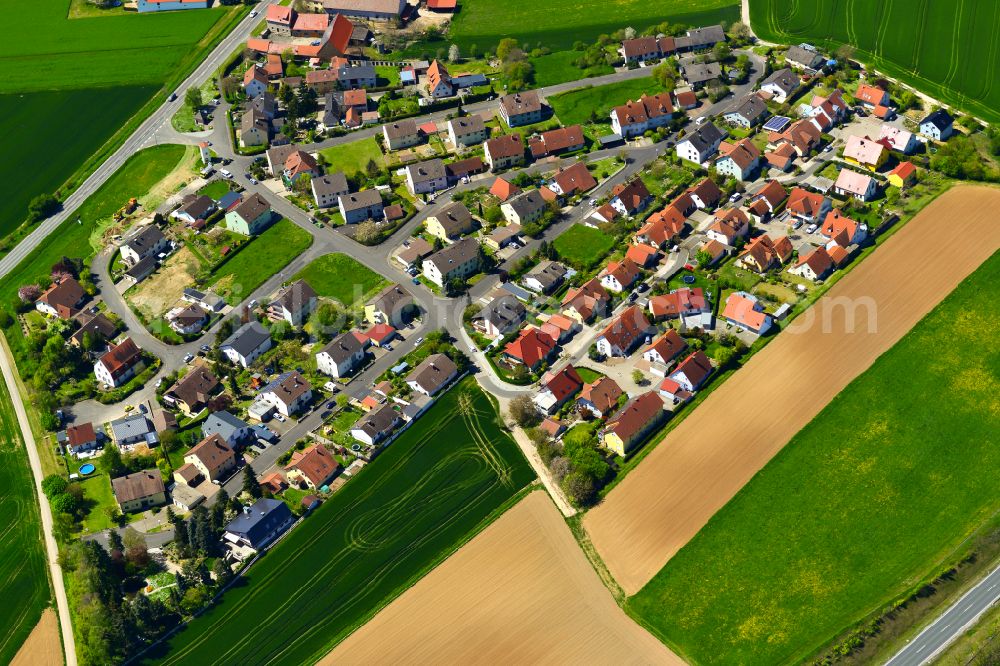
(24, 581)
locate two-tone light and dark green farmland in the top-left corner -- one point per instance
(68, 85)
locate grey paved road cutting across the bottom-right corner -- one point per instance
(959, 617)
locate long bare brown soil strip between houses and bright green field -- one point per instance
(705, 461)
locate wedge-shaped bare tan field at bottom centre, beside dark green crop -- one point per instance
(520, 592)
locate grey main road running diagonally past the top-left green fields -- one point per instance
(133, 144)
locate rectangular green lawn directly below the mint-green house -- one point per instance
(263, 257)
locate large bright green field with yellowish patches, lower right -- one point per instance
(869, 499)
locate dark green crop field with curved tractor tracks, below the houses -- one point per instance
(406, 511)
